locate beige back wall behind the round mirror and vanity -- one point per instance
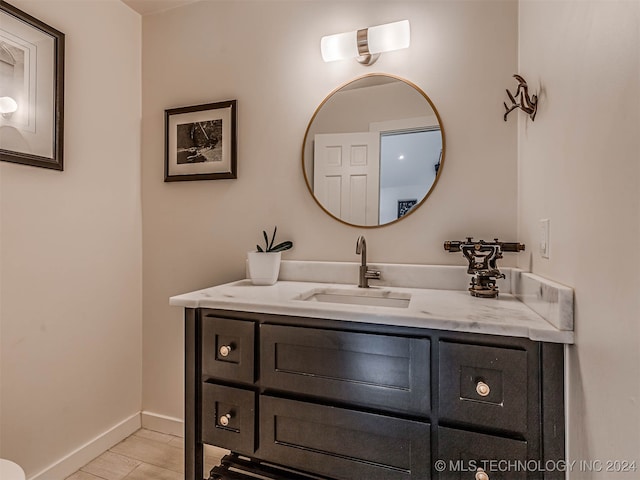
(267, 56)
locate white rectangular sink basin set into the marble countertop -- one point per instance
(364, 296)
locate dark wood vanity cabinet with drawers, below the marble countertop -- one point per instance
(347, 400)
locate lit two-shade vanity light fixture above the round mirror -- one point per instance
(366, 44)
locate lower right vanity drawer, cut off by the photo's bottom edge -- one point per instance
(465, 452)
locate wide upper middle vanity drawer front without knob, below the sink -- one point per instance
(360, 368)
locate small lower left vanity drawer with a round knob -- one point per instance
(228, 417)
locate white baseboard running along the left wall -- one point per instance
(90, 450)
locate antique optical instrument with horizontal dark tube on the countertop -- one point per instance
(483, 257)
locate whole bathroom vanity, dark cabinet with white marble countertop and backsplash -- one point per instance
(315, 379)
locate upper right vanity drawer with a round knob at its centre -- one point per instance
(485, 386)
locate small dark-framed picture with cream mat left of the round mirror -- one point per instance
(201, 142)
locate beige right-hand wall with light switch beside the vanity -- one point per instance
(579, 166)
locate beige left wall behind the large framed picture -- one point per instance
(71, 252)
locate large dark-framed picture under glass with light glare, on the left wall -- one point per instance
(31, 90)
